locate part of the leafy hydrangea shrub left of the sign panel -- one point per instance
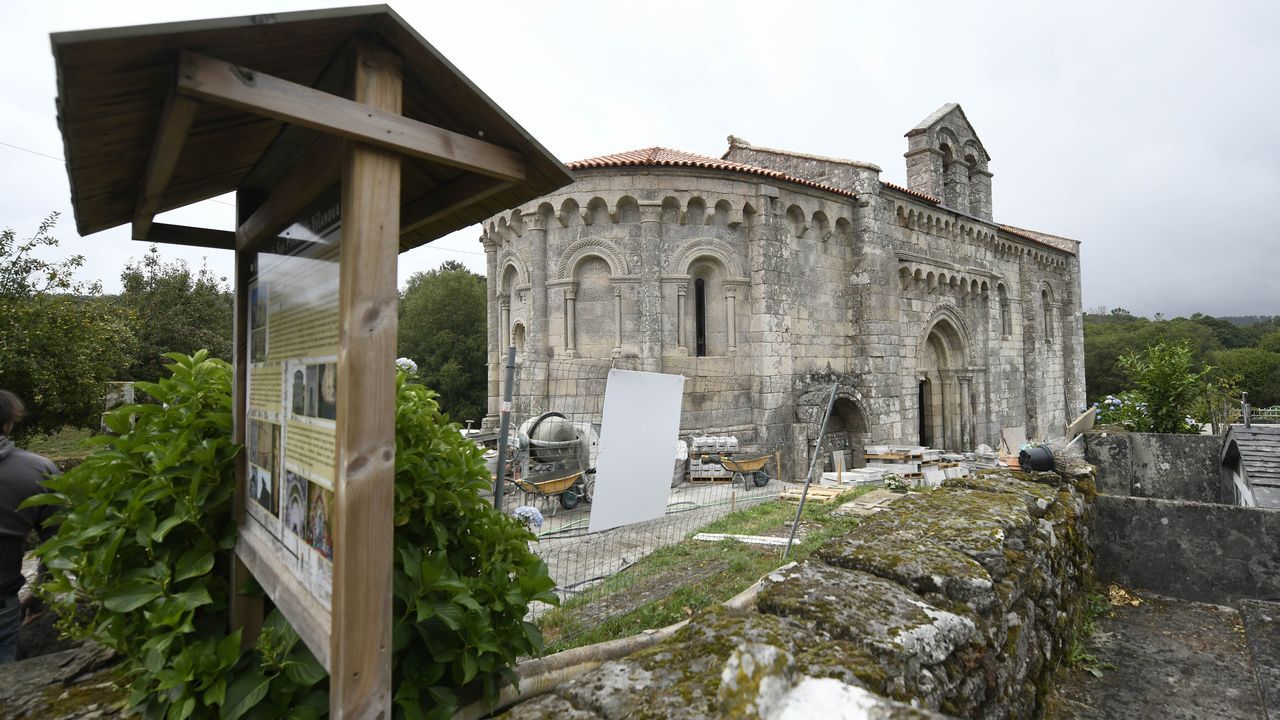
(144, 541)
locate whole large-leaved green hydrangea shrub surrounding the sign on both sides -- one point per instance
(145, 541)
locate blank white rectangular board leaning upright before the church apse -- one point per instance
(638, 448)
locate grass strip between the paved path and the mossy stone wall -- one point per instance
(693, 575)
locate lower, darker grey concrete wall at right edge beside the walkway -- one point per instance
(1190, 550)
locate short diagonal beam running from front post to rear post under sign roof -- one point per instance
(317, 172)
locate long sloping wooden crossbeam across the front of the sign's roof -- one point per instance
(249, 90)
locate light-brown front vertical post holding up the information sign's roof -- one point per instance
(360, 671)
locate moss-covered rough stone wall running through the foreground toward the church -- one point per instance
(961, 601)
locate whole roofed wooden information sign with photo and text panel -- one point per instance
(348, 139)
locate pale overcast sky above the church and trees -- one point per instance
(1144, 130)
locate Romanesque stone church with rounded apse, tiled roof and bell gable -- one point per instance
(783, 274)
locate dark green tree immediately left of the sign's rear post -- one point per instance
(175, 312)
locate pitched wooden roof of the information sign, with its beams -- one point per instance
(158, 117)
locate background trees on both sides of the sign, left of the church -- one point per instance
(62, 340)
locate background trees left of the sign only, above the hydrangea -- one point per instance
(62, 339)
